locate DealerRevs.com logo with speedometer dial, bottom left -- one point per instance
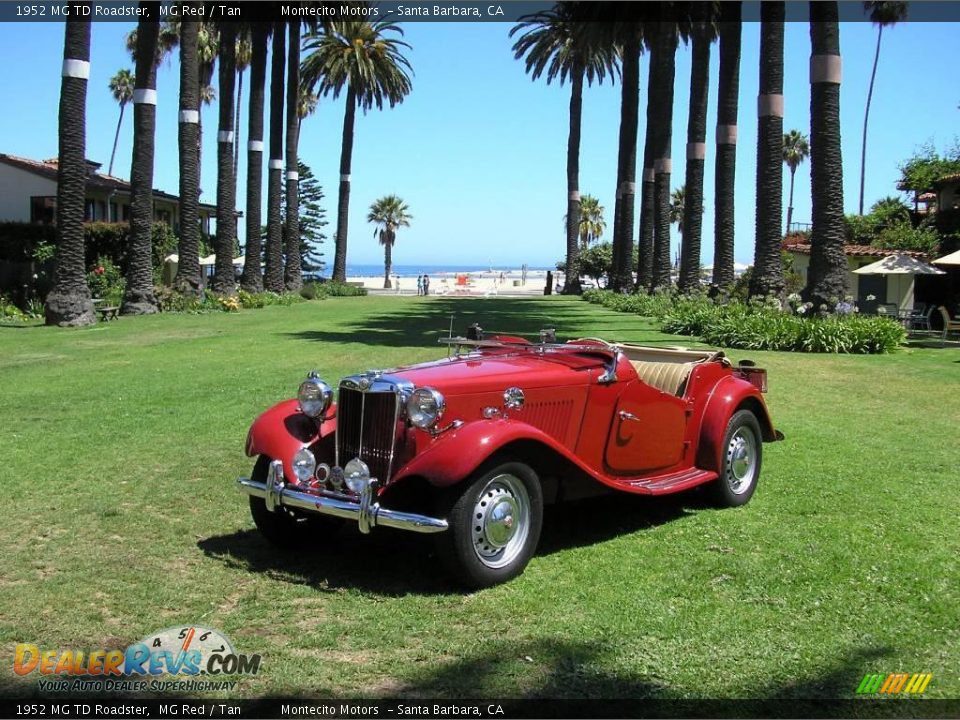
(174, 659)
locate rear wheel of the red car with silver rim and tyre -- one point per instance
(740, 466)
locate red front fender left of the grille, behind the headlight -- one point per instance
(282, 430)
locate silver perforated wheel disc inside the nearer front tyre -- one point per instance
(501, 521)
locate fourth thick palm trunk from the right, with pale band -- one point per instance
(696, 153)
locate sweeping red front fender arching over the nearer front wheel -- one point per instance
(444, 463)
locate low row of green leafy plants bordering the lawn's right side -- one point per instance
(758, 325)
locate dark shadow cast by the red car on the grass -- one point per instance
(395, 563)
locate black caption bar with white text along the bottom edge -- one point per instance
(86, 707)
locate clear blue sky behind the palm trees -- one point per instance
(478, 150)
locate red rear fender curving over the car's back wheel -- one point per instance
(728, 396)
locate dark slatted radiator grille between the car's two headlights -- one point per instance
(367, 428)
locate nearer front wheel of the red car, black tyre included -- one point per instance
(495, 522)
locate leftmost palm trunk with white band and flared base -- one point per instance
(68, 303)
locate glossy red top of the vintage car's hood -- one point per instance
(486, 372)
